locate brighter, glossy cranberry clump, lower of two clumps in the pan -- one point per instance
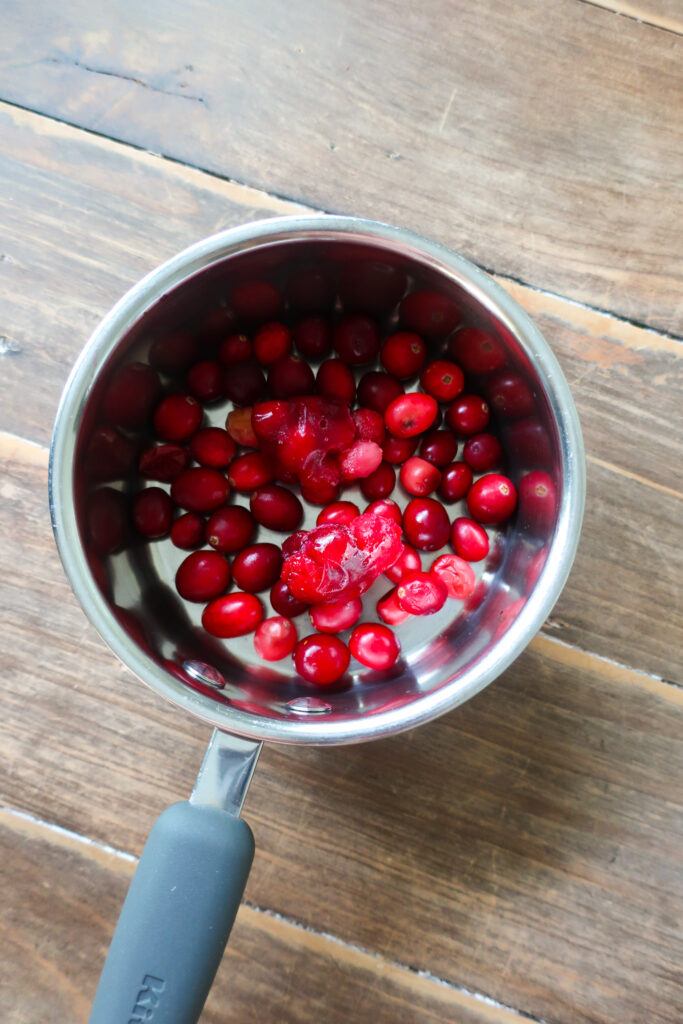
(338, 562)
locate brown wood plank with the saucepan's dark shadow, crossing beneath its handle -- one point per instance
(526, 846)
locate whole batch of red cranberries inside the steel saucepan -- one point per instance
(379, 414)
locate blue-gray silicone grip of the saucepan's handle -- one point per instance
(177, 918)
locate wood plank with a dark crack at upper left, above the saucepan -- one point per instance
(543, 141)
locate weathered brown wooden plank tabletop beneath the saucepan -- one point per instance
(520, 860)
